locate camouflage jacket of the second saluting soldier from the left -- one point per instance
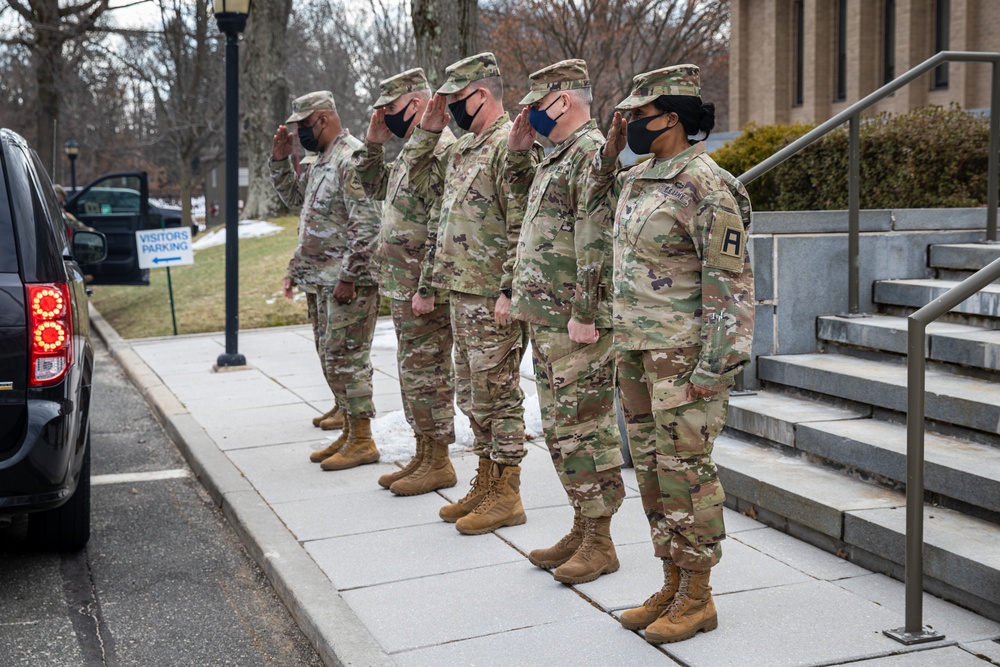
(408, 204)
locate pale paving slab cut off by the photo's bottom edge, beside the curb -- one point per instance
(586, 642)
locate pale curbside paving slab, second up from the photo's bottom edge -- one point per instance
(423, 612)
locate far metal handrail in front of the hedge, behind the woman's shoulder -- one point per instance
(852, 115)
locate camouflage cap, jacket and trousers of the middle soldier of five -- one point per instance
(471, 250)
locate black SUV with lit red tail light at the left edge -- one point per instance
(46, 356)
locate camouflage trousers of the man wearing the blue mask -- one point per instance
(576, 393)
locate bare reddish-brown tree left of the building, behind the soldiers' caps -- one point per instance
(617, 38)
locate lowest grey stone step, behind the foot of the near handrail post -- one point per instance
(868, 523)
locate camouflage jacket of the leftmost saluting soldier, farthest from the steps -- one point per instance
(337, 225)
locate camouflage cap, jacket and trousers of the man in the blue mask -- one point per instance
(563, 266)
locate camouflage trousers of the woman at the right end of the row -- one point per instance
(671, 442)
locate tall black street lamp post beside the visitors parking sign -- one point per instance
(231, 16)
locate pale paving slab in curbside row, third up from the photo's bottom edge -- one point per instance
(406, 553)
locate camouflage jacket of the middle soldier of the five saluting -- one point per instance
(471, 245)
